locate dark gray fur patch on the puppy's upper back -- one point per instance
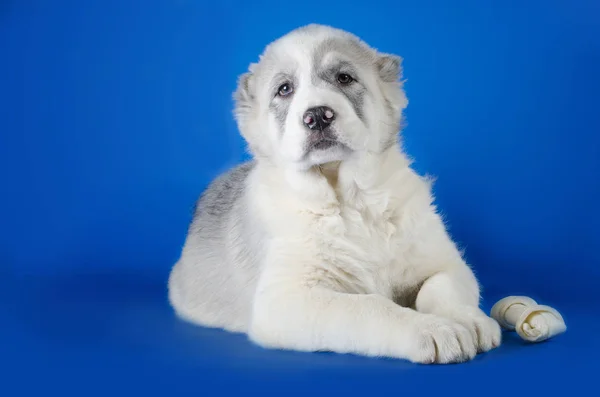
(222, 194)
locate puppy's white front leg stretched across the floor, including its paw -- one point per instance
(289, 313)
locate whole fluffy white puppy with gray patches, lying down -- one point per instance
(328, 240)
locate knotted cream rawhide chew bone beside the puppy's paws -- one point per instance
(533, 322)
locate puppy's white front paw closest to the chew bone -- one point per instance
(484, 330)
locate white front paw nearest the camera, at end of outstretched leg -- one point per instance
(443, 341)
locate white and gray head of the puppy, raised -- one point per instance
(317, 95)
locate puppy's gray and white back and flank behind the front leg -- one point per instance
(214, 280)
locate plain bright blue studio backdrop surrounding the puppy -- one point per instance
(114, 115)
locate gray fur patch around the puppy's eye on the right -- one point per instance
(354, 92)
